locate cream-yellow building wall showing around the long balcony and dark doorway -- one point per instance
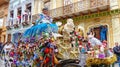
(112, 22)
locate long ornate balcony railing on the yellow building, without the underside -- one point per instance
(84, 5)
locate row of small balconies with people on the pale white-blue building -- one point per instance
(22, 20)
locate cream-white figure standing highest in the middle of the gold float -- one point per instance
(69, 26)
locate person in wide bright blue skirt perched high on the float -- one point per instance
(43, 24)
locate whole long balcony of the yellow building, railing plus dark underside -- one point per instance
(80, 8)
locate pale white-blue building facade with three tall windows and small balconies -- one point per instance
(16, 17)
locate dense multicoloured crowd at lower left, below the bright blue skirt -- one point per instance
(40, 54)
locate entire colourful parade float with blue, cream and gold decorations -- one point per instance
(45, 42)
